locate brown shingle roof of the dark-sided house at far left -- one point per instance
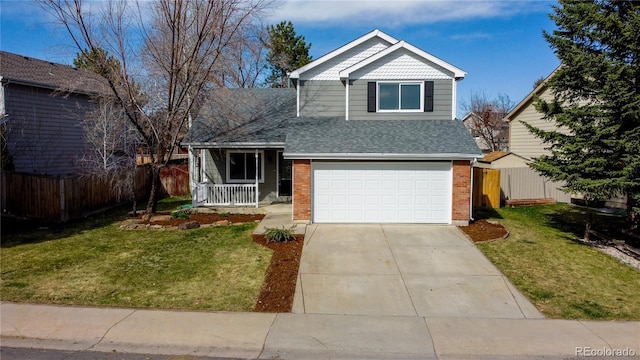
(29, 71)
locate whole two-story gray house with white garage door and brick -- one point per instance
(366, 134)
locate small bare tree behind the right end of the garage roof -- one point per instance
(485, 120)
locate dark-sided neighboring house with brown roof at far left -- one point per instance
(42, 105)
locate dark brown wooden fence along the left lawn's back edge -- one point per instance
(60, 198)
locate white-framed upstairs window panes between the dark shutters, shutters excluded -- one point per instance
(404, 96)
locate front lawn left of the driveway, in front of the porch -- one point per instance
(93, 262)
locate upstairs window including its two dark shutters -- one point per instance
(398, 96)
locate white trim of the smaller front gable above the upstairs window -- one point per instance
(410, 52)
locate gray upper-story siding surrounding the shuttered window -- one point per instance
(442, 104)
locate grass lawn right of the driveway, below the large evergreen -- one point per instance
(563, 278)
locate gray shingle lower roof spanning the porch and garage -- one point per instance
(268, 116)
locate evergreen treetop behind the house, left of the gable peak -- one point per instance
(287, 52)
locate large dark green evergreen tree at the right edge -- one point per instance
(596, 108)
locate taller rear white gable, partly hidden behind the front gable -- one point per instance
(345, 56)
